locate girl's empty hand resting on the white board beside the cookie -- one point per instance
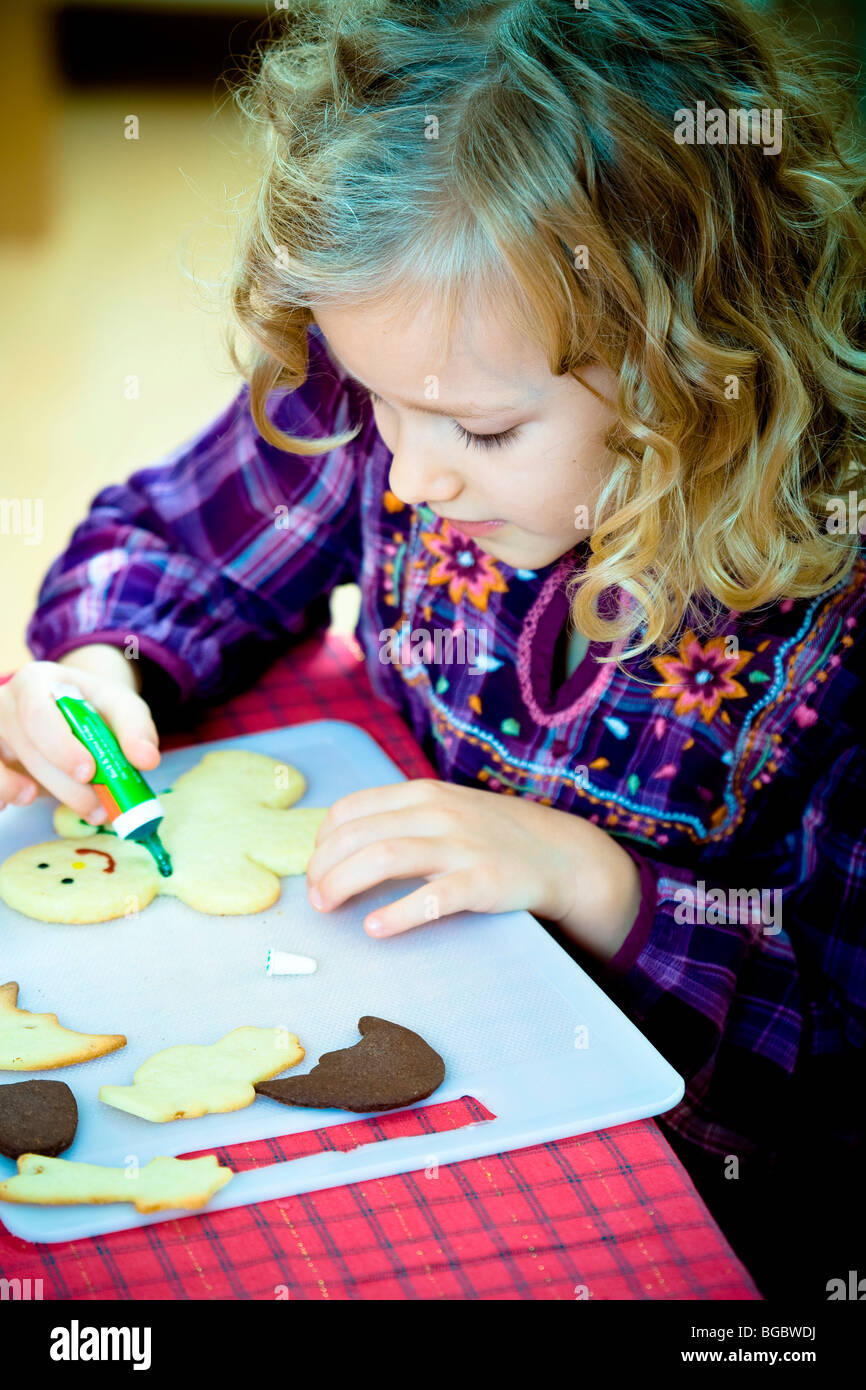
(486, 853)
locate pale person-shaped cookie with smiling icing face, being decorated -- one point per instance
(229, 829)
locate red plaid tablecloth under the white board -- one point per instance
(607, 1216)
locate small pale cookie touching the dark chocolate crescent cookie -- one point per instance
(181, 1084)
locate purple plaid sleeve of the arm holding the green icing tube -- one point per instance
(215, 559)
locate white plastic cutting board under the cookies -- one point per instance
(496, 996)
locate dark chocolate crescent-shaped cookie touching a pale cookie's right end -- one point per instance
(391, 1067)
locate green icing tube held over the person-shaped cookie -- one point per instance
(134, 811)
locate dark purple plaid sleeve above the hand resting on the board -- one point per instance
(760, 999)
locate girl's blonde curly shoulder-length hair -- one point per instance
(725, 287)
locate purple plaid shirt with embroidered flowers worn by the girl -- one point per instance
(733, 772)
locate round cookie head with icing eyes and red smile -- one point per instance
(69, 882)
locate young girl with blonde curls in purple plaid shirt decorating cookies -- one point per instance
(558, 351)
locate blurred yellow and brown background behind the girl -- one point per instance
(113, 250)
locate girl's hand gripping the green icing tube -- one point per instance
(38, 749)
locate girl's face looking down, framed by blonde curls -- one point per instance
(489, 436)
